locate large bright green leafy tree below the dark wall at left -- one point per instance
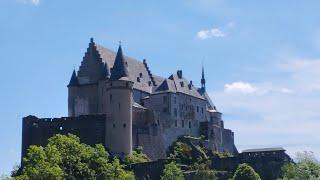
(66, 158)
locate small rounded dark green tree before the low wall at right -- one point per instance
(245, 172)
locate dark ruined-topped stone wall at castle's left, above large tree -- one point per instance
(36, 131)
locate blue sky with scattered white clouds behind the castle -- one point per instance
(262, 60)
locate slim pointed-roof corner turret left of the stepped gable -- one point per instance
(72, 89)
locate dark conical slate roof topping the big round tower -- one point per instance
(119, 68)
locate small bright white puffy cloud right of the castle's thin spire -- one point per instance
(240, 87)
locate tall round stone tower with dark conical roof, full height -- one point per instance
(119, 108)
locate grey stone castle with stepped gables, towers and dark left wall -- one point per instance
(115, 100)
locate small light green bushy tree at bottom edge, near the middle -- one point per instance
(172, 172)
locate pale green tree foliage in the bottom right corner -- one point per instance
(307, 167)
